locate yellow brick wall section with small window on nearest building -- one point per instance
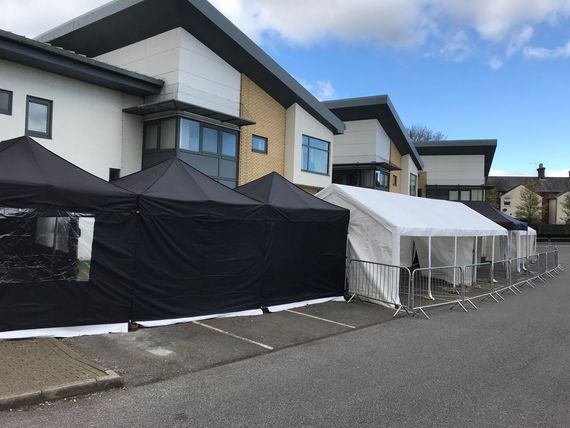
(269, 118)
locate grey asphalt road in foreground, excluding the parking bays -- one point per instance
(507, 364)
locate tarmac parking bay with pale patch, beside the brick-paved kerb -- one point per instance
(153, 354)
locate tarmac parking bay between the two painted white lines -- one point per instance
(279, 329)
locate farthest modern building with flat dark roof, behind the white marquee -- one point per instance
(457, 170)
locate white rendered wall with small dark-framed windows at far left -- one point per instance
(88, 122)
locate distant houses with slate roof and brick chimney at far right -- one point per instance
(550, 190)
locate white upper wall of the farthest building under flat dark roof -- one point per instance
(455, 169)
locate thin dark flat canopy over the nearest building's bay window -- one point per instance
(176, 105)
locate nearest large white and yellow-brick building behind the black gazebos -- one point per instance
(136, 82)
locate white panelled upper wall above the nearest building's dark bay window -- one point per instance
(192, 73)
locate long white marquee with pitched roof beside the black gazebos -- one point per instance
(392, 228)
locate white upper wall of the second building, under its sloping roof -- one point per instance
(363, 141)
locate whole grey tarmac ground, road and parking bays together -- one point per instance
(507, 364)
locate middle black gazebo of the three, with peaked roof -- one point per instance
(200, 246)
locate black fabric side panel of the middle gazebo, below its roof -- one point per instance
(196, 266)
